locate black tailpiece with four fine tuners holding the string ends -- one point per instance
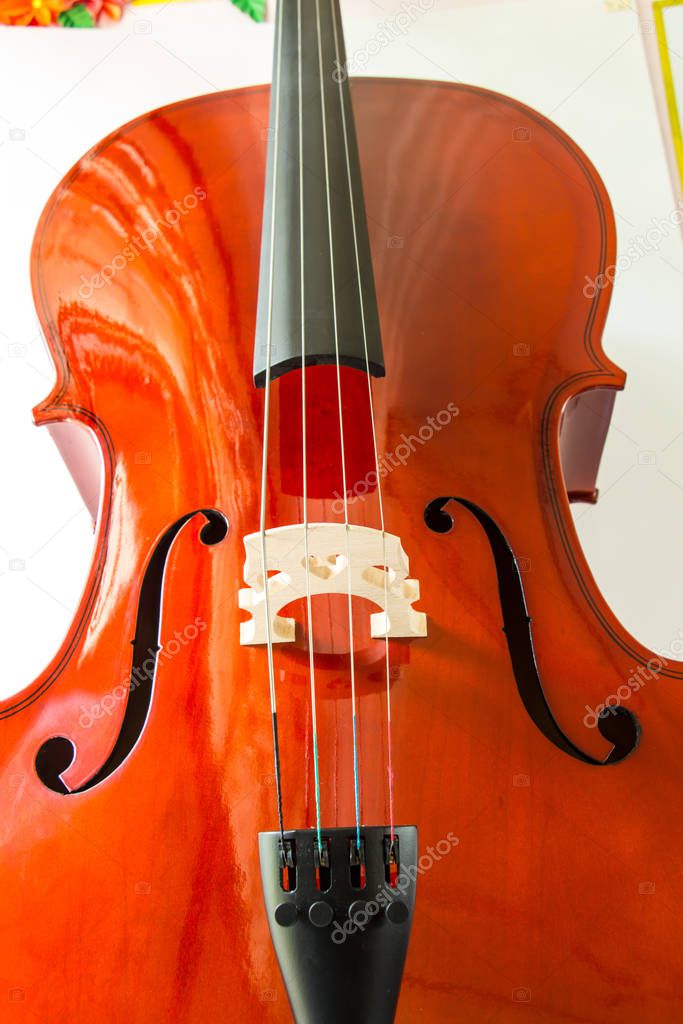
(340, 919)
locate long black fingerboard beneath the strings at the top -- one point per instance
(317, 292)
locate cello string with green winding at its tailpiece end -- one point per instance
(310, 616)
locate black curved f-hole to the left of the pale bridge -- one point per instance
(58, 754)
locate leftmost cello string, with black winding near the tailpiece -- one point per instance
(267, 424)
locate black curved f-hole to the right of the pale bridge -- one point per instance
(618, 726)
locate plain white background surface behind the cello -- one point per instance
(576, 61)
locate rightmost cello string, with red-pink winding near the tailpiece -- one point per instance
(338, 58)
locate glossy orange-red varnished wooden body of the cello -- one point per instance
(130, 864)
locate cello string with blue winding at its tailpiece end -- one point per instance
(355, 721)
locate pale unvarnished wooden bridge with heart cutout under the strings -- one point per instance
(378, 573)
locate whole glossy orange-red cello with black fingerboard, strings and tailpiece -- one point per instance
(343, 728)
